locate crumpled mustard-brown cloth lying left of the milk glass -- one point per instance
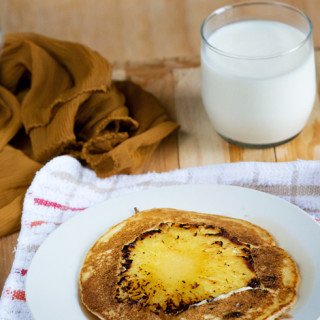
(56, 98)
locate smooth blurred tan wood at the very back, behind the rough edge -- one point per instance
(133, 30)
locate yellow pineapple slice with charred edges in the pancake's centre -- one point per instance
(178, 265)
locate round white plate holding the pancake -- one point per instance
(51, 285)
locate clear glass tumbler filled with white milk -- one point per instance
(258, 72)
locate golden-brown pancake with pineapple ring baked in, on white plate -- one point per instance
(183, 265)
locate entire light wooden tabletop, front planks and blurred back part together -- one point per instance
(156, 44)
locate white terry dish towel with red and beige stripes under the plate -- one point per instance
(63, 188)
